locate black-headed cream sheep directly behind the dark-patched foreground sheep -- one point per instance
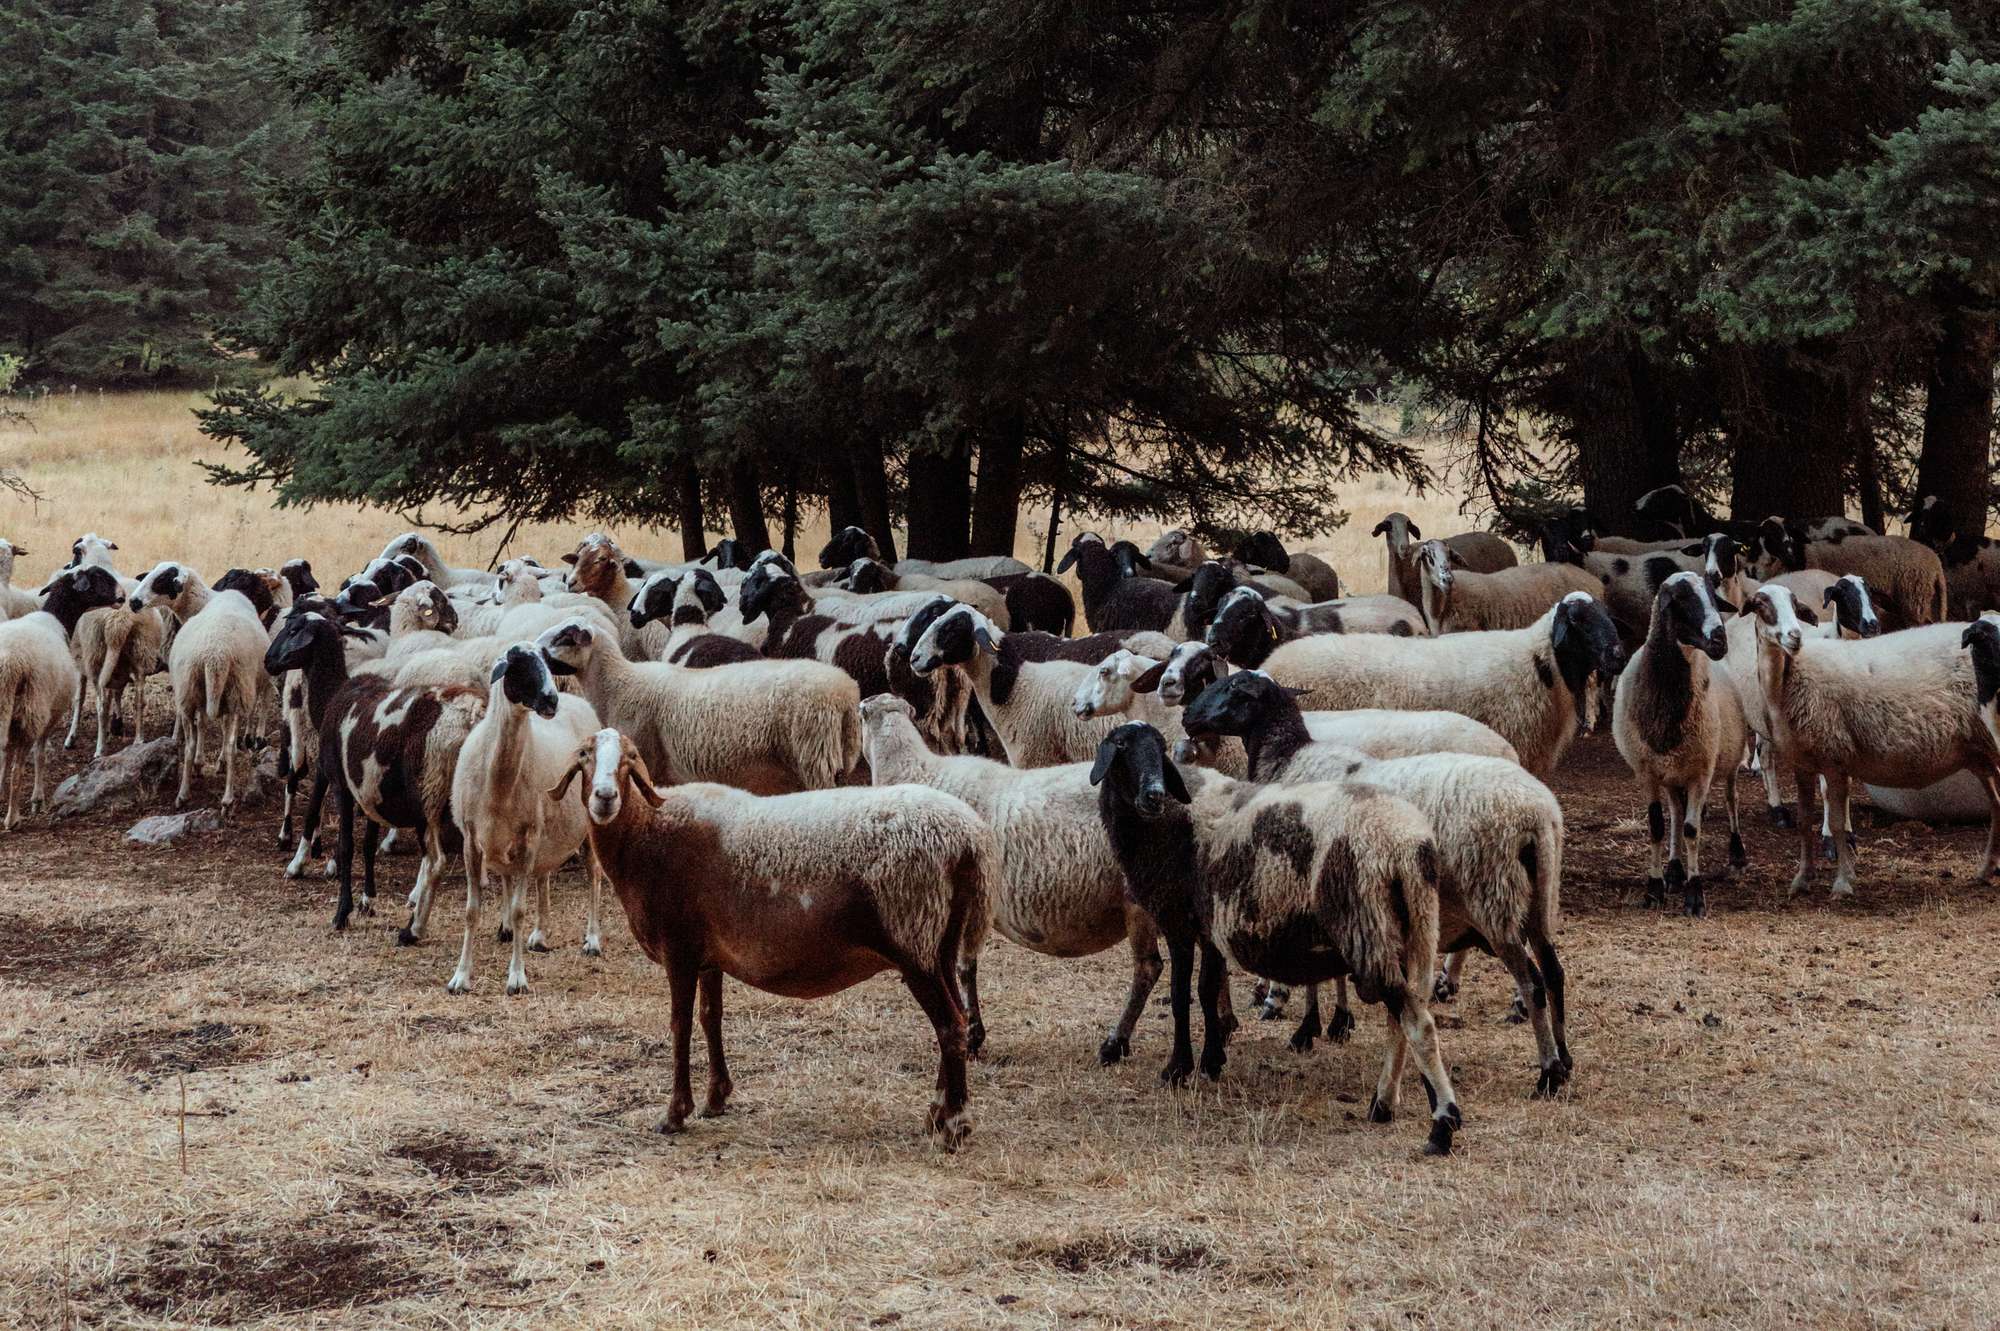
(1499, 836)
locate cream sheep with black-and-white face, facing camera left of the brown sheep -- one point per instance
(511, 830)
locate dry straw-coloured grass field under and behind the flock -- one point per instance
(217, 1112)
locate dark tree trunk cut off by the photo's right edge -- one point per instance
(1959, 415)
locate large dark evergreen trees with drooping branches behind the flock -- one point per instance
(915, 263)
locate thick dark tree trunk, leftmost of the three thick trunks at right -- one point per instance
(1627, 435)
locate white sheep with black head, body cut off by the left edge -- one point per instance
(37, 674)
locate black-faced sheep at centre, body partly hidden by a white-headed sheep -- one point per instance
(1027, 682)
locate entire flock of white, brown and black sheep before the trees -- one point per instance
(803, 780)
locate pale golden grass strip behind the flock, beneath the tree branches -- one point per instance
(125, 467)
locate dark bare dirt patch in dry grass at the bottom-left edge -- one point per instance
(235, 1276)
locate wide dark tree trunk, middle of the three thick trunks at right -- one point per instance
(1791, 427)
